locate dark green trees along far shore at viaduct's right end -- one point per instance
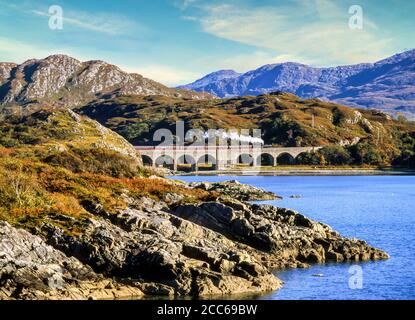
(362, 153)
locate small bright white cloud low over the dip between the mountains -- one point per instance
(166, 75)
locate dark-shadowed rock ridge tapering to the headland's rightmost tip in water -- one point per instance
(285, 234)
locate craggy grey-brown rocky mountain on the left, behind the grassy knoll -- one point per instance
(65, 81)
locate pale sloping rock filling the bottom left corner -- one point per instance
(31, 269)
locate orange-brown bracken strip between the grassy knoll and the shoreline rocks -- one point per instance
(32, 193)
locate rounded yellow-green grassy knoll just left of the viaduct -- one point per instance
(65, 139)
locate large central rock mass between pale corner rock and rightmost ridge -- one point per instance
(165, 254)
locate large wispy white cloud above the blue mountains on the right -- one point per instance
(313, 31)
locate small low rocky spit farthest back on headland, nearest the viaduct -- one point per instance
(236, 190)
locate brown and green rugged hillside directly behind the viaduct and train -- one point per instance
(285, 120)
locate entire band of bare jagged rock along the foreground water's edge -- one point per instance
(170, 248)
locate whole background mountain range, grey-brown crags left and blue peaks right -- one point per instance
(59, 80)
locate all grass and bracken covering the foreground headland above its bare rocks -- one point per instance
(70, 164)
